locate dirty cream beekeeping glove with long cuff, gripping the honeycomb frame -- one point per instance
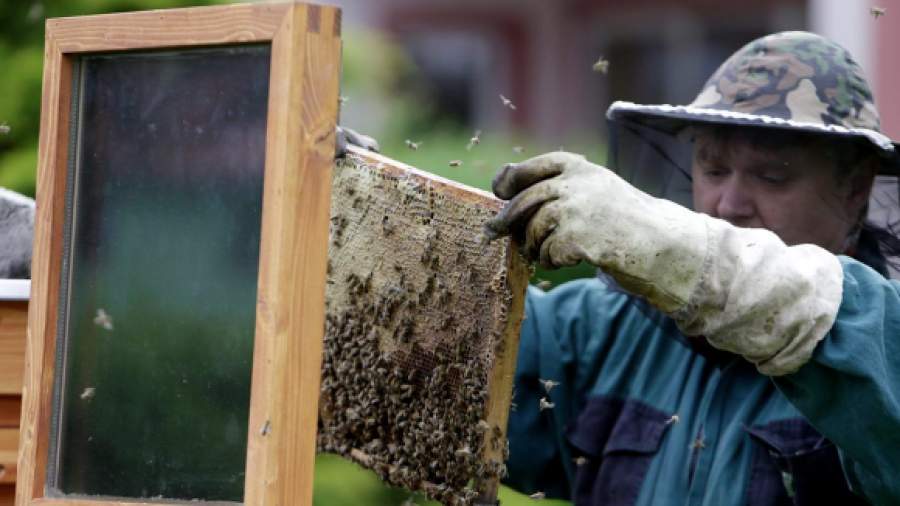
(743, 289)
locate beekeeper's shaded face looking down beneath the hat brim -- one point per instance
(793, 191)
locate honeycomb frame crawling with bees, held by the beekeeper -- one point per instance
(422, 328)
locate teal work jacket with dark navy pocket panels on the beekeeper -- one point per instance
(644, 415)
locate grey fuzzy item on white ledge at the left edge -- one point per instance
(16, 233)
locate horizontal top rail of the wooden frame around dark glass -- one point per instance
(167, 28)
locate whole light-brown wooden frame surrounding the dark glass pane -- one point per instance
(302, 110)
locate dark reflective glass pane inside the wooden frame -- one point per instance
(159, 310)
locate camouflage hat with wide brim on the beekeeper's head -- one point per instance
(788, 80)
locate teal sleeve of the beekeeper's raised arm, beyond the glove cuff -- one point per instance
(850, 389)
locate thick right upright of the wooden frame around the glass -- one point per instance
(291, 292)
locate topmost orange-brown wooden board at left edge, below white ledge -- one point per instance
(13, 323)
